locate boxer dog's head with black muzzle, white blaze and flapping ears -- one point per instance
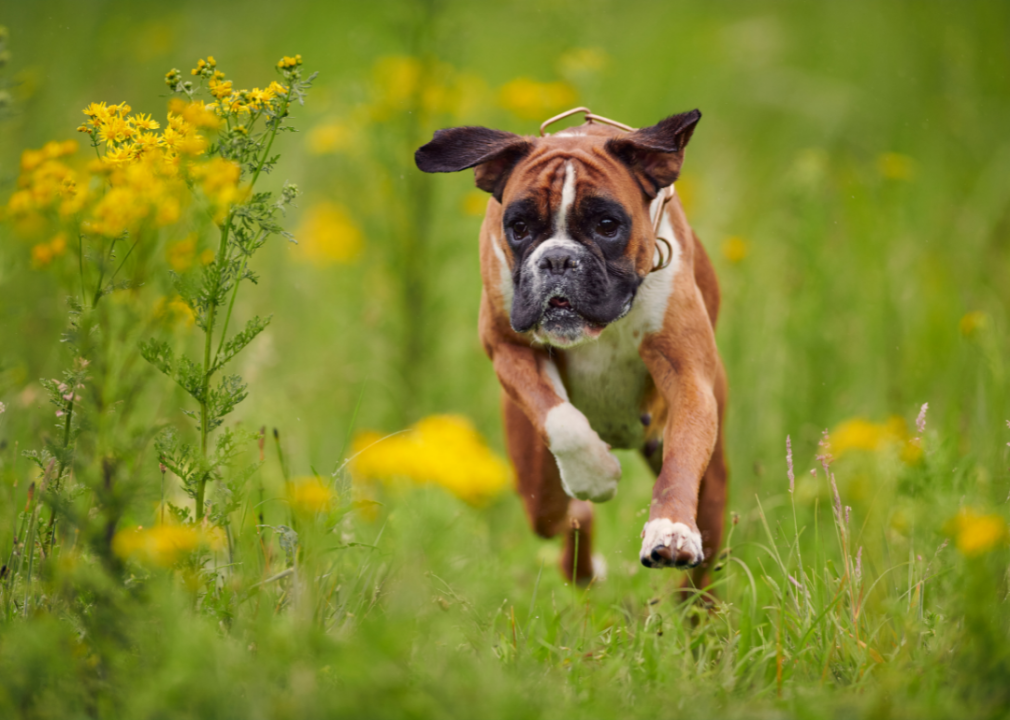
(577, 231)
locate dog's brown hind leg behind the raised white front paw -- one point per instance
(539, 483)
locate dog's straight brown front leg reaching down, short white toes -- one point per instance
(684, 366)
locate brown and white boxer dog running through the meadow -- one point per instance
(595, 344)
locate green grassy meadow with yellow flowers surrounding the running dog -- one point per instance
(849, 179)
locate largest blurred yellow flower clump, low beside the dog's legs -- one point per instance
(444, 450)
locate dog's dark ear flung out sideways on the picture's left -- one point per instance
(493, 155)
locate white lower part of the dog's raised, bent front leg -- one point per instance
(589, 470)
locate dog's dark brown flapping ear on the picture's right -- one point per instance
(655, 154)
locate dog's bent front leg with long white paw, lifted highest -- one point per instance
(589, 471)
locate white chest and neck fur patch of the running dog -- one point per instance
(607, 379)
